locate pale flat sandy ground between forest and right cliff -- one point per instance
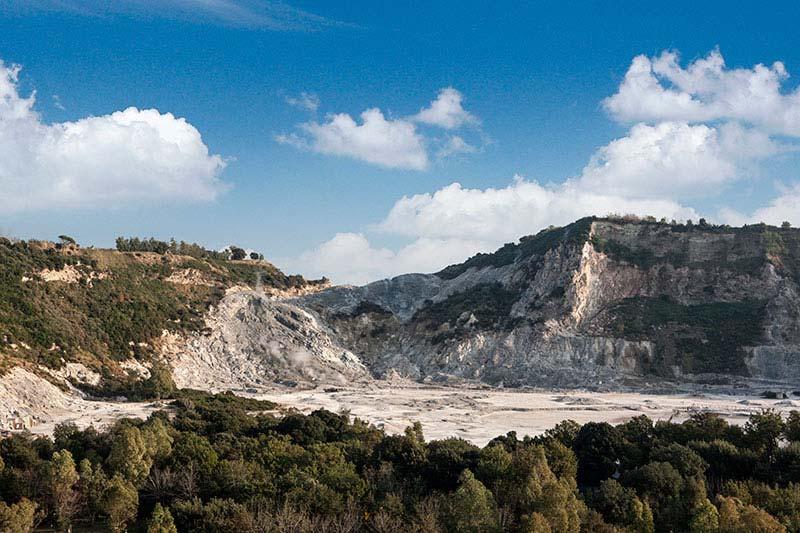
(481, 415)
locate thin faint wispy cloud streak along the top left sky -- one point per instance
(255, 14)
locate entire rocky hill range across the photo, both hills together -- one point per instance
(597, 303)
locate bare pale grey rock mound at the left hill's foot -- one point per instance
(253, 339)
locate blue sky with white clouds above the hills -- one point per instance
(528, 107)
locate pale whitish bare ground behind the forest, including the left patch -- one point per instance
(477, 415)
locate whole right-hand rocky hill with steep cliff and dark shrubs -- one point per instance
(598, 302)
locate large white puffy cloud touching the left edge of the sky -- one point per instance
(128, 157)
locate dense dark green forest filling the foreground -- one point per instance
(219, 463)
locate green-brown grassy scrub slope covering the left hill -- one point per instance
(104, 321)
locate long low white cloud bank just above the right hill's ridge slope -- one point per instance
(454, 223)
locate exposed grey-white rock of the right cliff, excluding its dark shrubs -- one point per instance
(564, 340)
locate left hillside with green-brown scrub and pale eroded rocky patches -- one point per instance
(98, 319)
